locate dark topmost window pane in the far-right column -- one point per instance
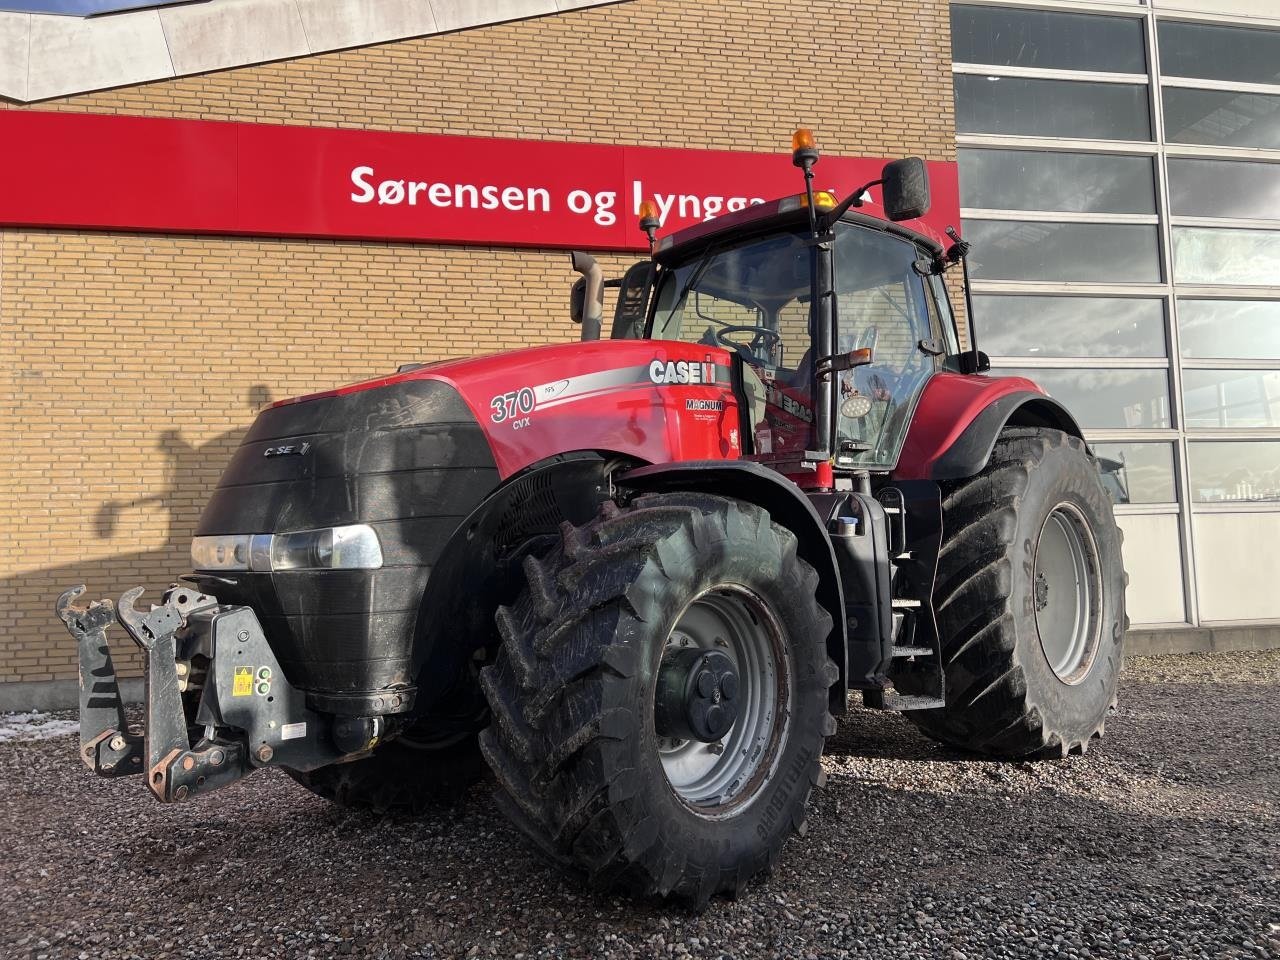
(1219, 53)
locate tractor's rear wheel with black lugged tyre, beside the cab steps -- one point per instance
(1030, 602)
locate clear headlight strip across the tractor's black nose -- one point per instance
(331, 548)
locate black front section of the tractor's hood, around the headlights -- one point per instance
(408, 459)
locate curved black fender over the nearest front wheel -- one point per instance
(787, 505)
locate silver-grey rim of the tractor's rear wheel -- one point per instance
(1067, 589)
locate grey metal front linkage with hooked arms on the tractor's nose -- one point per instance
(218, 707)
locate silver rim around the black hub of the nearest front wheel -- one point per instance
(720, 779)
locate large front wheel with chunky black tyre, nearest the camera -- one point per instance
(582, 687)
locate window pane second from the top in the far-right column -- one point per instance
(1222, 118)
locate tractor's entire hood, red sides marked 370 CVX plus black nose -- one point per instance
(410, 458)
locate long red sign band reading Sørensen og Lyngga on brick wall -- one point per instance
(132, 173)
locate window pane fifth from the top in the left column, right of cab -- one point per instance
(1071, 327)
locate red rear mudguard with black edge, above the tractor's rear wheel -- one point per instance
(959, 420)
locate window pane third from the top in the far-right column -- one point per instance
(1232, 189)
